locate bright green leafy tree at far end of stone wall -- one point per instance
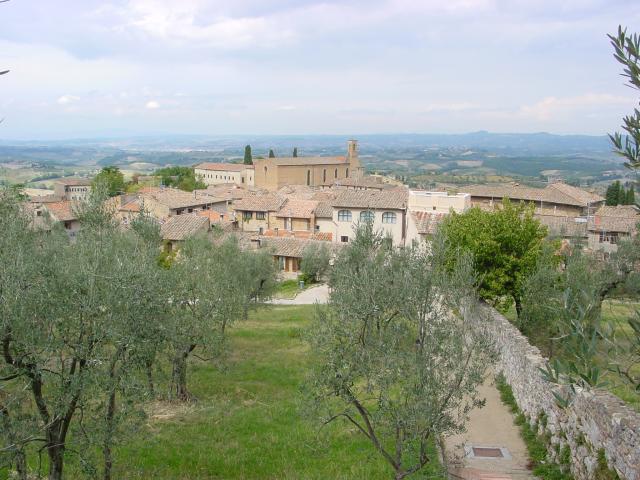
(505, 245)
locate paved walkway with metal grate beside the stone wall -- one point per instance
(492, 432)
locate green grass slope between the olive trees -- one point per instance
(248, 422)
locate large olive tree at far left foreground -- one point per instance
(73, 325)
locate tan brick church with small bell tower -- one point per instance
(275, 173)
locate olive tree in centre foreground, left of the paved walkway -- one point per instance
(394, 361)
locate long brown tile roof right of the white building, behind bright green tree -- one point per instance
(557, 193)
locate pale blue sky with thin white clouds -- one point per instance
(89, 68)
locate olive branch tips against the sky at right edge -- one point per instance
(627, 52)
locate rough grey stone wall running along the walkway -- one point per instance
(595, 421)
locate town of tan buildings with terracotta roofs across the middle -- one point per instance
(286, 203)
